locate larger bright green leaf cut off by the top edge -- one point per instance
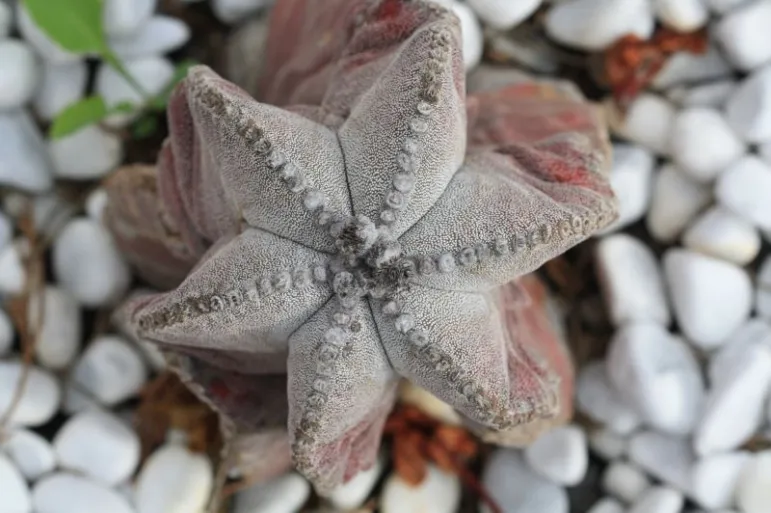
(76, 25)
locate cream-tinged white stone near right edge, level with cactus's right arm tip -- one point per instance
(722, 234)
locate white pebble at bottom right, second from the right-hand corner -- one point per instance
(714, 479)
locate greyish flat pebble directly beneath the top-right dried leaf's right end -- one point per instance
(688, 68)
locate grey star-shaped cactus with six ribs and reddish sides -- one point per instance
(362, 232)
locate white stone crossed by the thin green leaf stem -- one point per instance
(152, 74)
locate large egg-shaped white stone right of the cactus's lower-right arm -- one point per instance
(658, 374)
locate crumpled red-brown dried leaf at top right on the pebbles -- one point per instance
(632, 63)
